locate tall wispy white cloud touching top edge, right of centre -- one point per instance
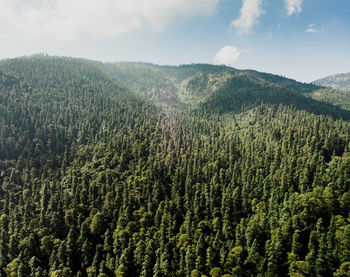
(249, 15)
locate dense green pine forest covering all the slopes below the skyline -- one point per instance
(134, 169)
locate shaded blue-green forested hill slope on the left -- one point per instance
(52, 105)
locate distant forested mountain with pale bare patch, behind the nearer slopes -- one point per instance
(222, 89)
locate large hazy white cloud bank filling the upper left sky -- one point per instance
(67, 20)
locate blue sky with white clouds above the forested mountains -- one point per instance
(300, 39)
